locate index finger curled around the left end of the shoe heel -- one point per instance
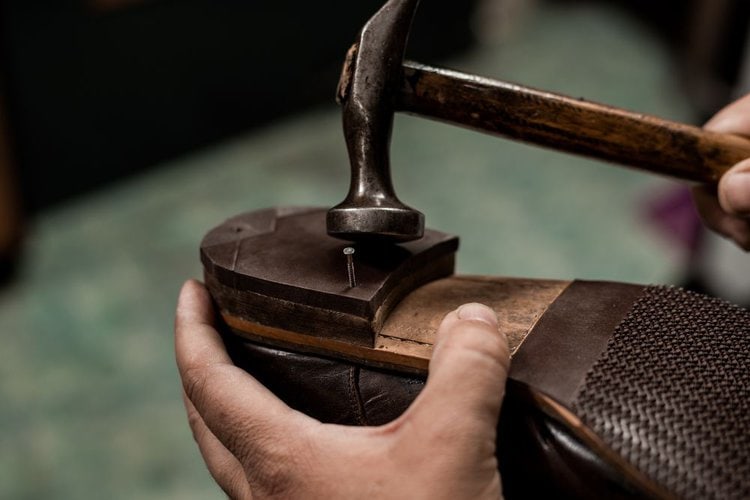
(253, 424)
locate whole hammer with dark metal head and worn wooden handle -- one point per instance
(376, 82)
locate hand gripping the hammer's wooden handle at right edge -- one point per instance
(728, 211)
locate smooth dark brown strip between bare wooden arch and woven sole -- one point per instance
(571, 335)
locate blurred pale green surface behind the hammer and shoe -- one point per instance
(90, 397)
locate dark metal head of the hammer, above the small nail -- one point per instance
(371, 77)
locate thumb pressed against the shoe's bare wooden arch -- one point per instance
(466, 383)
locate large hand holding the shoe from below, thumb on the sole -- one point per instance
(255, 446)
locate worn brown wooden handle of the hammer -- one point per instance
(572, 125)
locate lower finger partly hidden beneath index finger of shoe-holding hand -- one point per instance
(224, 467)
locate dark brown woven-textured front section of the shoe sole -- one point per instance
(671, 393)
